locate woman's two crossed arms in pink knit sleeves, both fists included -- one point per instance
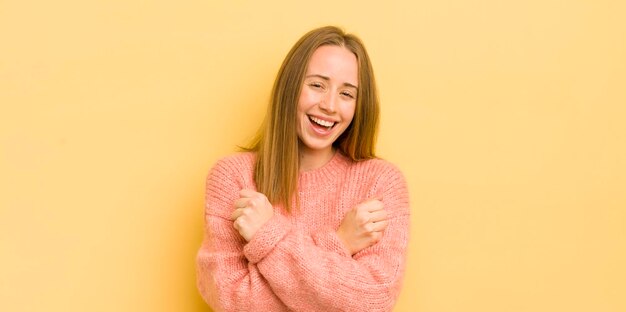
(253, 258)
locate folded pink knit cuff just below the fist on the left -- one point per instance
(266, 238)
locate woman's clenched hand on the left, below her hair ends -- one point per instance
(252, 210)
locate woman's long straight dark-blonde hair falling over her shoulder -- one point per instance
(276, 143)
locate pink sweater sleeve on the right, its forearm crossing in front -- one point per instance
(307, 277)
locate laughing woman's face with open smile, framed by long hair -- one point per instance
(328, 98)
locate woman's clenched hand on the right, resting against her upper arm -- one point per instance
(363, 226)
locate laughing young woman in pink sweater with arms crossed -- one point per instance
(308, 219)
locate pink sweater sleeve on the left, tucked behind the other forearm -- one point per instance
(226, 280)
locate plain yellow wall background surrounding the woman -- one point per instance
(508, 119)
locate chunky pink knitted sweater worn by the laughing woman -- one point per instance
(296, 261)
